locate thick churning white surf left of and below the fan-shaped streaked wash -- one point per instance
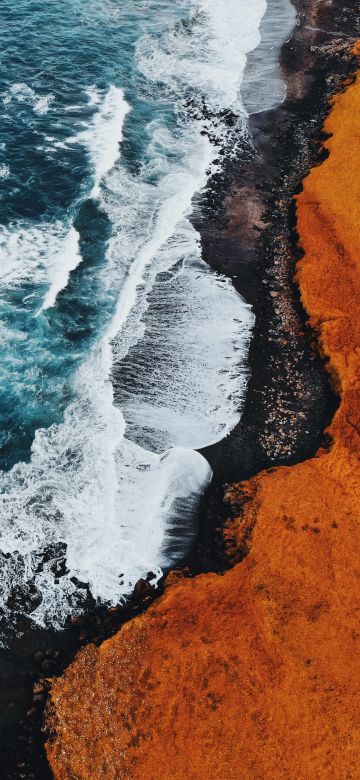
(86, 485)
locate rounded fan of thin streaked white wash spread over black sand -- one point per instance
(201, 359)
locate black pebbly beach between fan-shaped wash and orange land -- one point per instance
(289, 400)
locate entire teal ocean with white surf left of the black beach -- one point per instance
(122, 352)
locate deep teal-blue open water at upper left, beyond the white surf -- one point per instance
(56, 52)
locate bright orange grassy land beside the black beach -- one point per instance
(255, 673)
